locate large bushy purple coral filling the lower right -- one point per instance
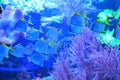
(87, 56)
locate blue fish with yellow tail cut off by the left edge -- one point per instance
(4, 50)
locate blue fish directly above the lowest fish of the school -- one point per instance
(41, 46)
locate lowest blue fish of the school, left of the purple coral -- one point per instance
(37, 59)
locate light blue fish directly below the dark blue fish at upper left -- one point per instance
(32, 34)
